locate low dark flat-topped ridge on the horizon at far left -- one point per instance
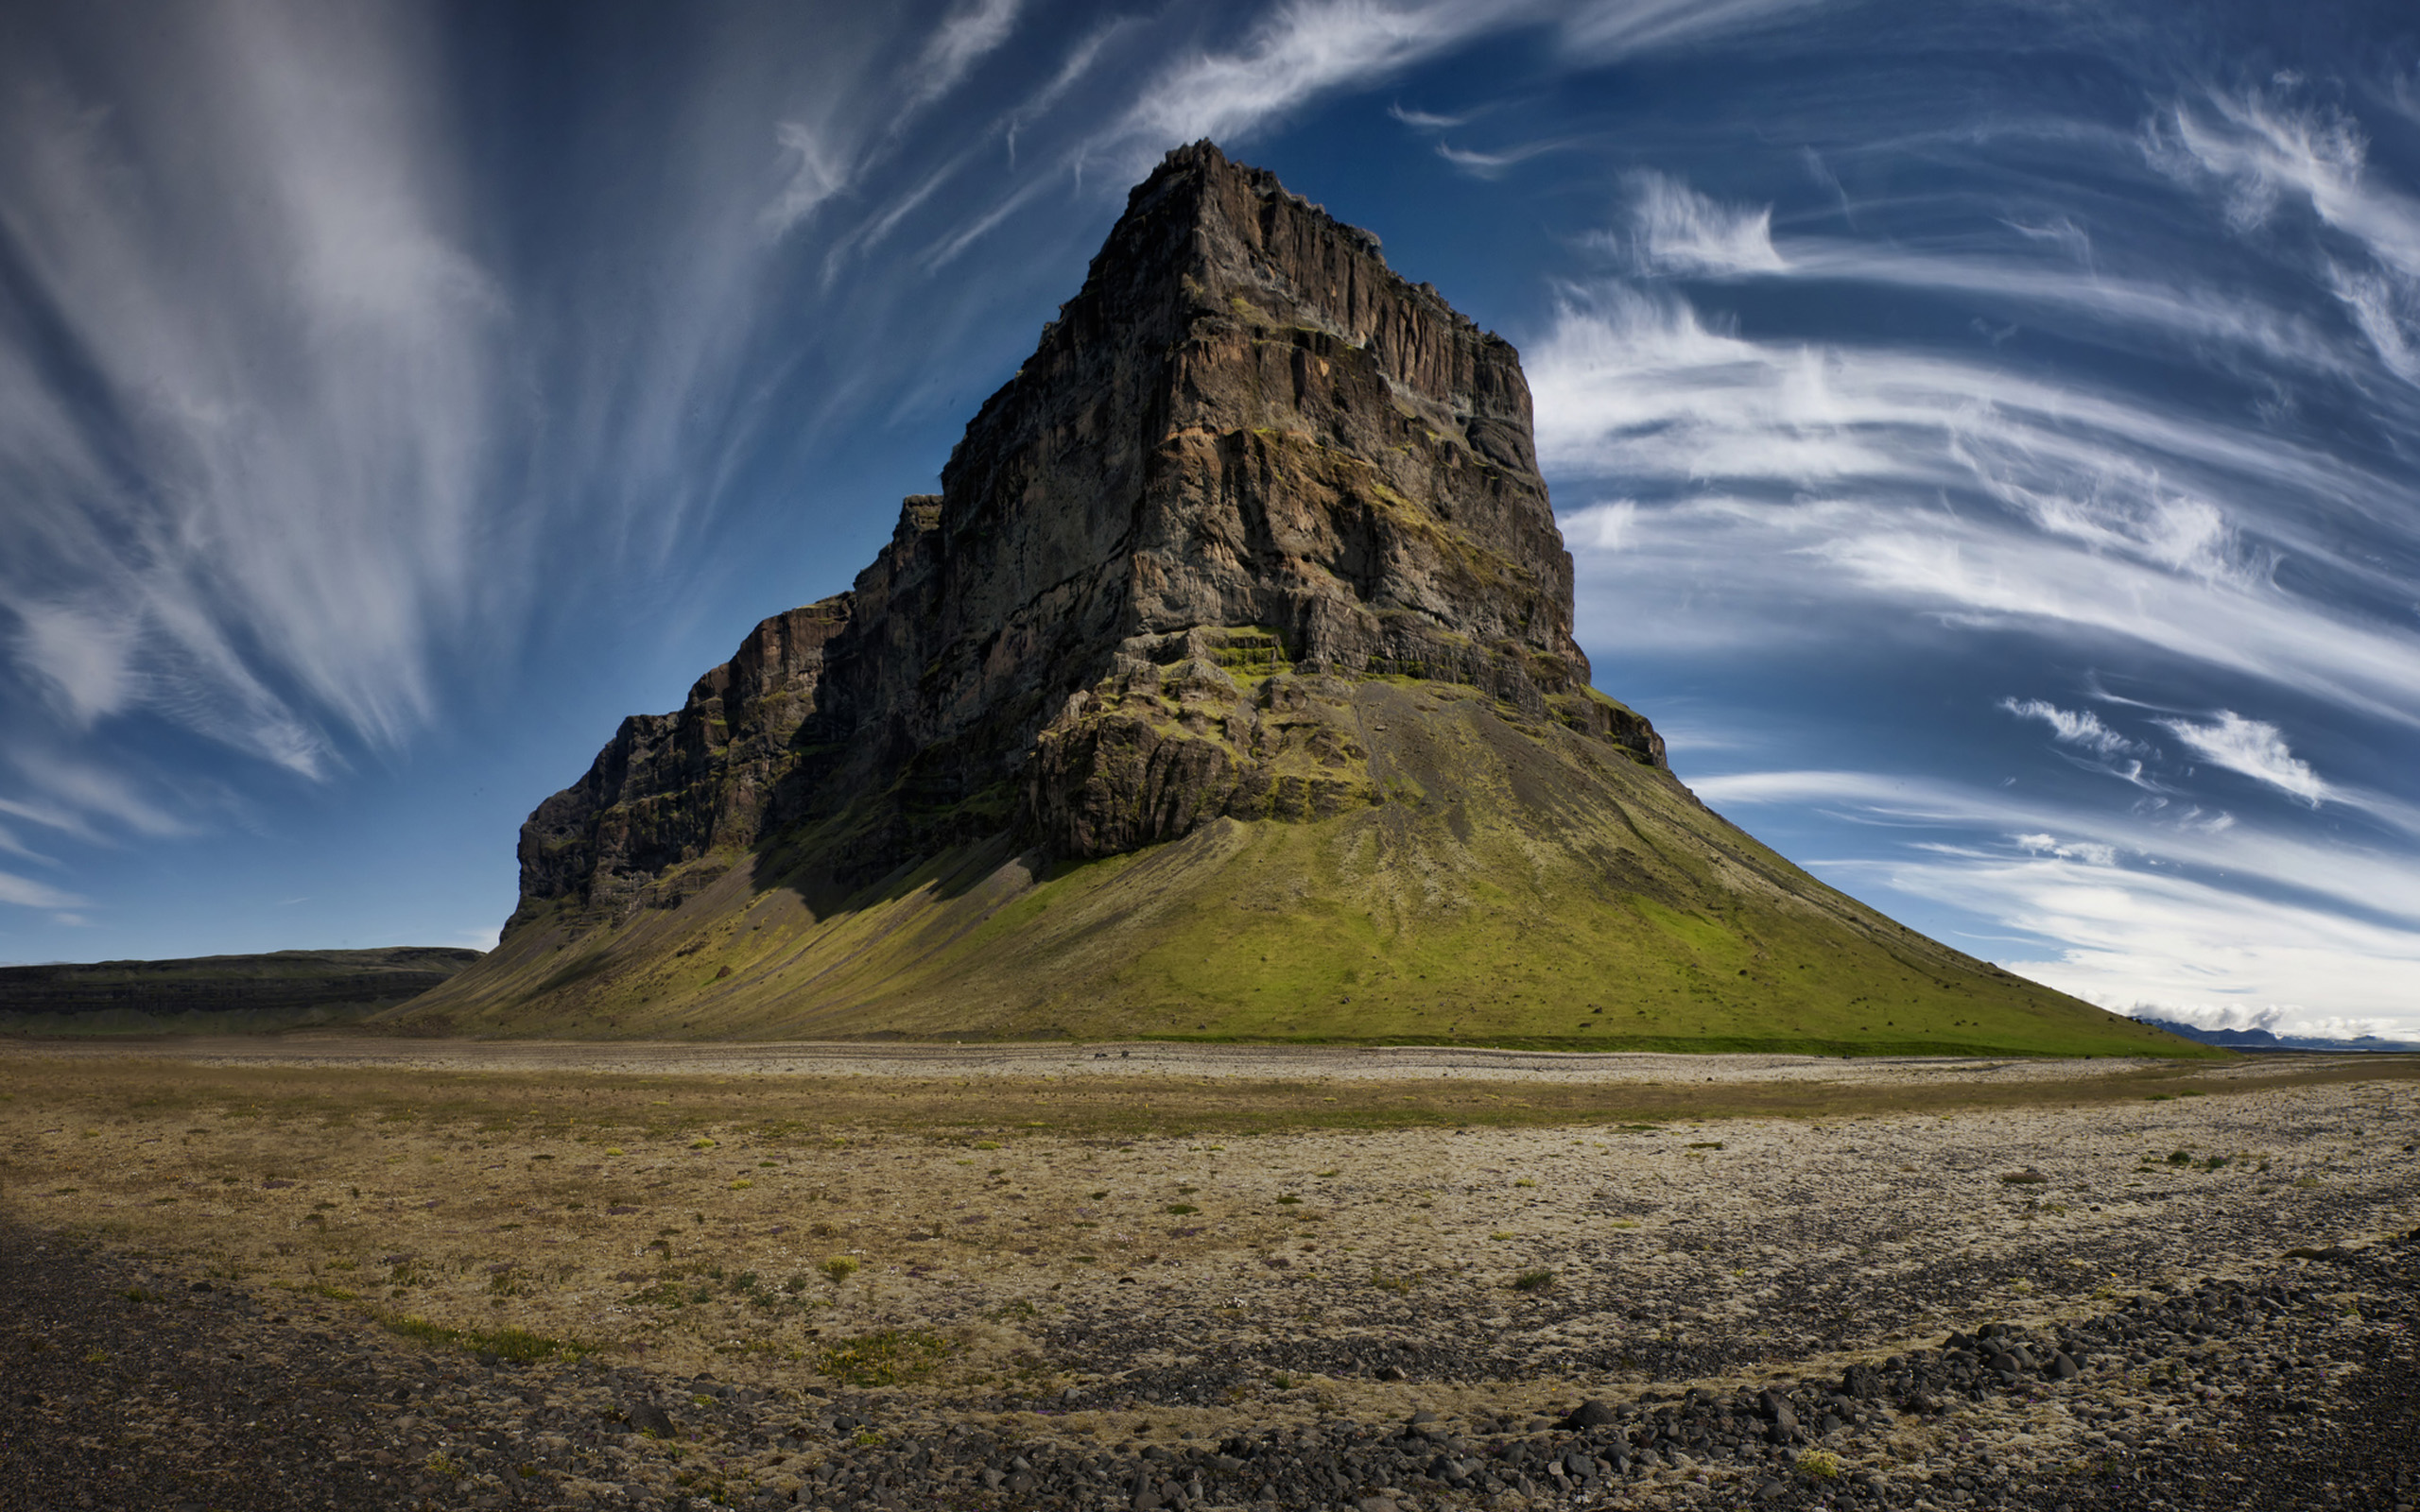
(221, 993)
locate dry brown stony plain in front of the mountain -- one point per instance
(1039, 1276)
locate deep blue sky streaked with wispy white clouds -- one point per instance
(1986, 432)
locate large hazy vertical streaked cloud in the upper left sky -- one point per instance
(296, 364)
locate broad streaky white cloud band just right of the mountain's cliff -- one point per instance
(1807, 487)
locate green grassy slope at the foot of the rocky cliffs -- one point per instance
(1516, 887)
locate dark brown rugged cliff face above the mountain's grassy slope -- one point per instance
(1243, 454)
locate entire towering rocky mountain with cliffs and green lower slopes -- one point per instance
(1226, 691)
